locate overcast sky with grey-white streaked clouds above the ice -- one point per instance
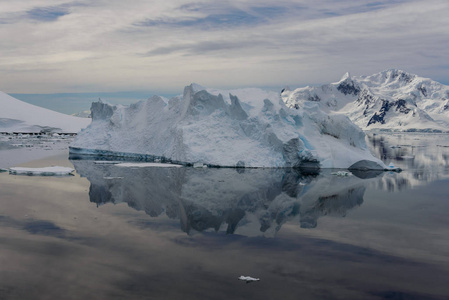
(50, 46)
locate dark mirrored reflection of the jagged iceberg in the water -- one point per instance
(252, 202)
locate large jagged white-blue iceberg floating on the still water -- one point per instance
(240, 128)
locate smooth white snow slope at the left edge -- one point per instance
(19, 116)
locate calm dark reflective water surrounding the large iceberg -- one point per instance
(169, 233)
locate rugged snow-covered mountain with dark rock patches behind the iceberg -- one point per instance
(390, 100)
